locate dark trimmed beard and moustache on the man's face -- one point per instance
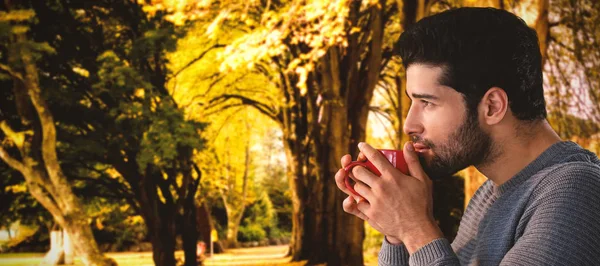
(467, 145)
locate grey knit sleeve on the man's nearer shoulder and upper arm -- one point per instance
(564, 215)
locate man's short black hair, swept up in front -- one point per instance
(481, 48)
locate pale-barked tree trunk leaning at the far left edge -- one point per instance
(35, 137)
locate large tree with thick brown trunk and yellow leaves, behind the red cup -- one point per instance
(322, 74)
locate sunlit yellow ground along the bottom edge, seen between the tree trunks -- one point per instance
(273, 255)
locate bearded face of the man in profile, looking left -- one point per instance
(446, 136)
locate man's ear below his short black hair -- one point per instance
(494, 106)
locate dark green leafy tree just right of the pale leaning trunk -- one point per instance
(110, 67)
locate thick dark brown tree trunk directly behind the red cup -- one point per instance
(344, 81)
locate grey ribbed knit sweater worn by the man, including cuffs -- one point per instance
(547, 214)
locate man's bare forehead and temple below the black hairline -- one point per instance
(425, 79)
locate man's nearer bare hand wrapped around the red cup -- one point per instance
(397, 205)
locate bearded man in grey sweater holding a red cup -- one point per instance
(474, 76)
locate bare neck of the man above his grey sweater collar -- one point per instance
(513, 154)
